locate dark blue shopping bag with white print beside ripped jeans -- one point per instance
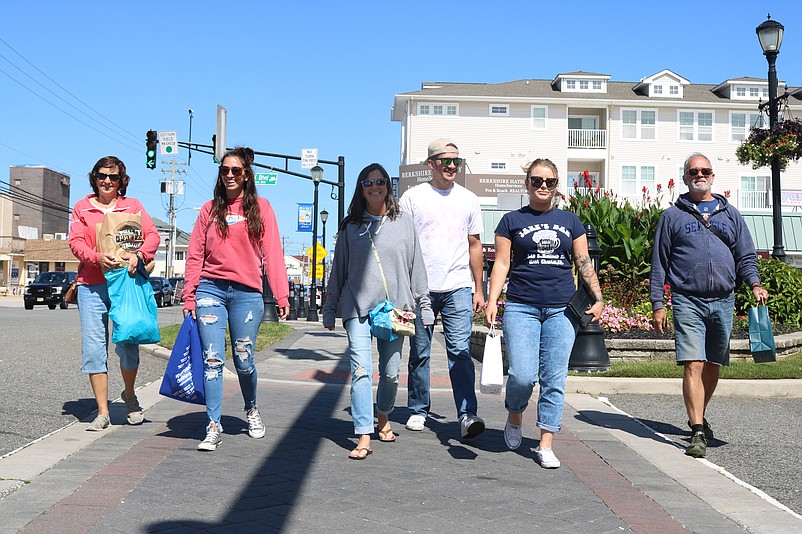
(183, 377)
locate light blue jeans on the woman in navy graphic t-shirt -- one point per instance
(539, 343)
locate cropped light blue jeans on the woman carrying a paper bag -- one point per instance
(93, 308)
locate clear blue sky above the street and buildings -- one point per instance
(80, 80)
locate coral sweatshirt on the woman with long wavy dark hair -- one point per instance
(235, 258)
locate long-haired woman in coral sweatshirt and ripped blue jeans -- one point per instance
(236, 232)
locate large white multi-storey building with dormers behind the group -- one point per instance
(628, 135)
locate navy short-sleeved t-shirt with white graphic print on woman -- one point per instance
(541, 255)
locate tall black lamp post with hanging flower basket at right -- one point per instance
(770, 35)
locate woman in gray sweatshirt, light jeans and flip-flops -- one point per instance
(356, 282)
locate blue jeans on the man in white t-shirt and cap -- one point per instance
(456, 309)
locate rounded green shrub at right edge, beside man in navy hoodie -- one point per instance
(784, 284)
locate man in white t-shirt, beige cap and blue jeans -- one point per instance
(448, 220)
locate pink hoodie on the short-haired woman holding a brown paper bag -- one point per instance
(83, 238)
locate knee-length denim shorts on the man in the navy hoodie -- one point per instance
(702, 329)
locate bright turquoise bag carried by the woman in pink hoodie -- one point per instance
(133, 308)
